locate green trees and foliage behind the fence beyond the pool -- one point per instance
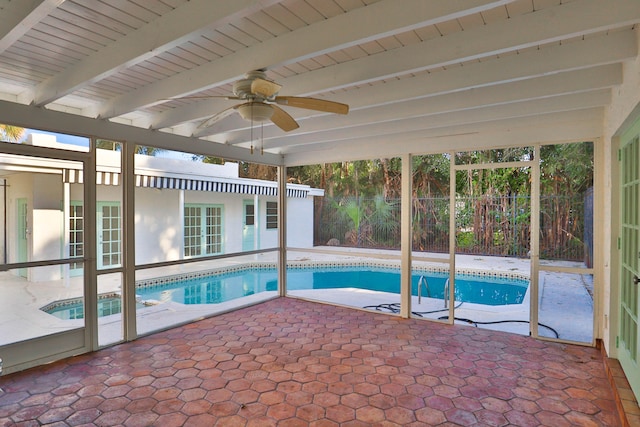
(493, 205)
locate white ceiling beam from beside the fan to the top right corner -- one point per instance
(579, 17)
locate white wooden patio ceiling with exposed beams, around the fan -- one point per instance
(419, 76)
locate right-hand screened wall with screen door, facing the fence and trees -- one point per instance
(481, 276)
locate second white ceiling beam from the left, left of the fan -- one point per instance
(168, 31)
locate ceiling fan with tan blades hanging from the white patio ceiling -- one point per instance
(262, 100)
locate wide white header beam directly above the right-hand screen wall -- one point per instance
(583, 125)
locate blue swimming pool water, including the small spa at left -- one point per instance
(219, 288)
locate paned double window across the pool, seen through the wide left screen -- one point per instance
(202, 230)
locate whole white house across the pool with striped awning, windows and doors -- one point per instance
(184, 209)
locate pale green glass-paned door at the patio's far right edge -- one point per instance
(628, 334)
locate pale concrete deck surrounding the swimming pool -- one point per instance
(565, 302)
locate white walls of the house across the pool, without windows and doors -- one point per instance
(159, 213)
